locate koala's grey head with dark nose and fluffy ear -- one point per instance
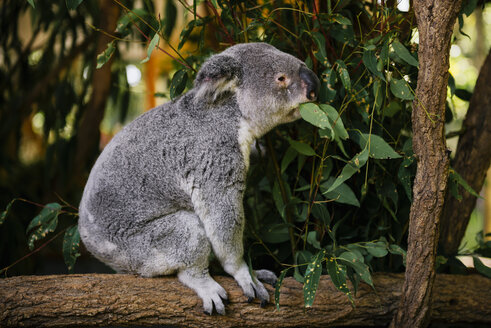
(268, 84)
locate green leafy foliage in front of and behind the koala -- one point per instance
(333, 189)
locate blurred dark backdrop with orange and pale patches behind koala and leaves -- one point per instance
(57, 110)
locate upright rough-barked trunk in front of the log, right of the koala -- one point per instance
(435, 19)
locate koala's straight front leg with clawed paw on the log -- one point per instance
(222, 215)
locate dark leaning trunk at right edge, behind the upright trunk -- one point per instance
(471, 161)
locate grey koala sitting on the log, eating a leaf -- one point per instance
(168, 189)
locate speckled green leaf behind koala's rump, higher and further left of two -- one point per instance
(45, 222)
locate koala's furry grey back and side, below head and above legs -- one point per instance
(147, 170)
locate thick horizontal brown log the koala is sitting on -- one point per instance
(114, 300)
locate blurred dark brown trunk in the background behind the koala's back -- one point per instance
(88, 135)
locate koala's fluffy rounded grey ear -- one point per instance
(218, 75)
